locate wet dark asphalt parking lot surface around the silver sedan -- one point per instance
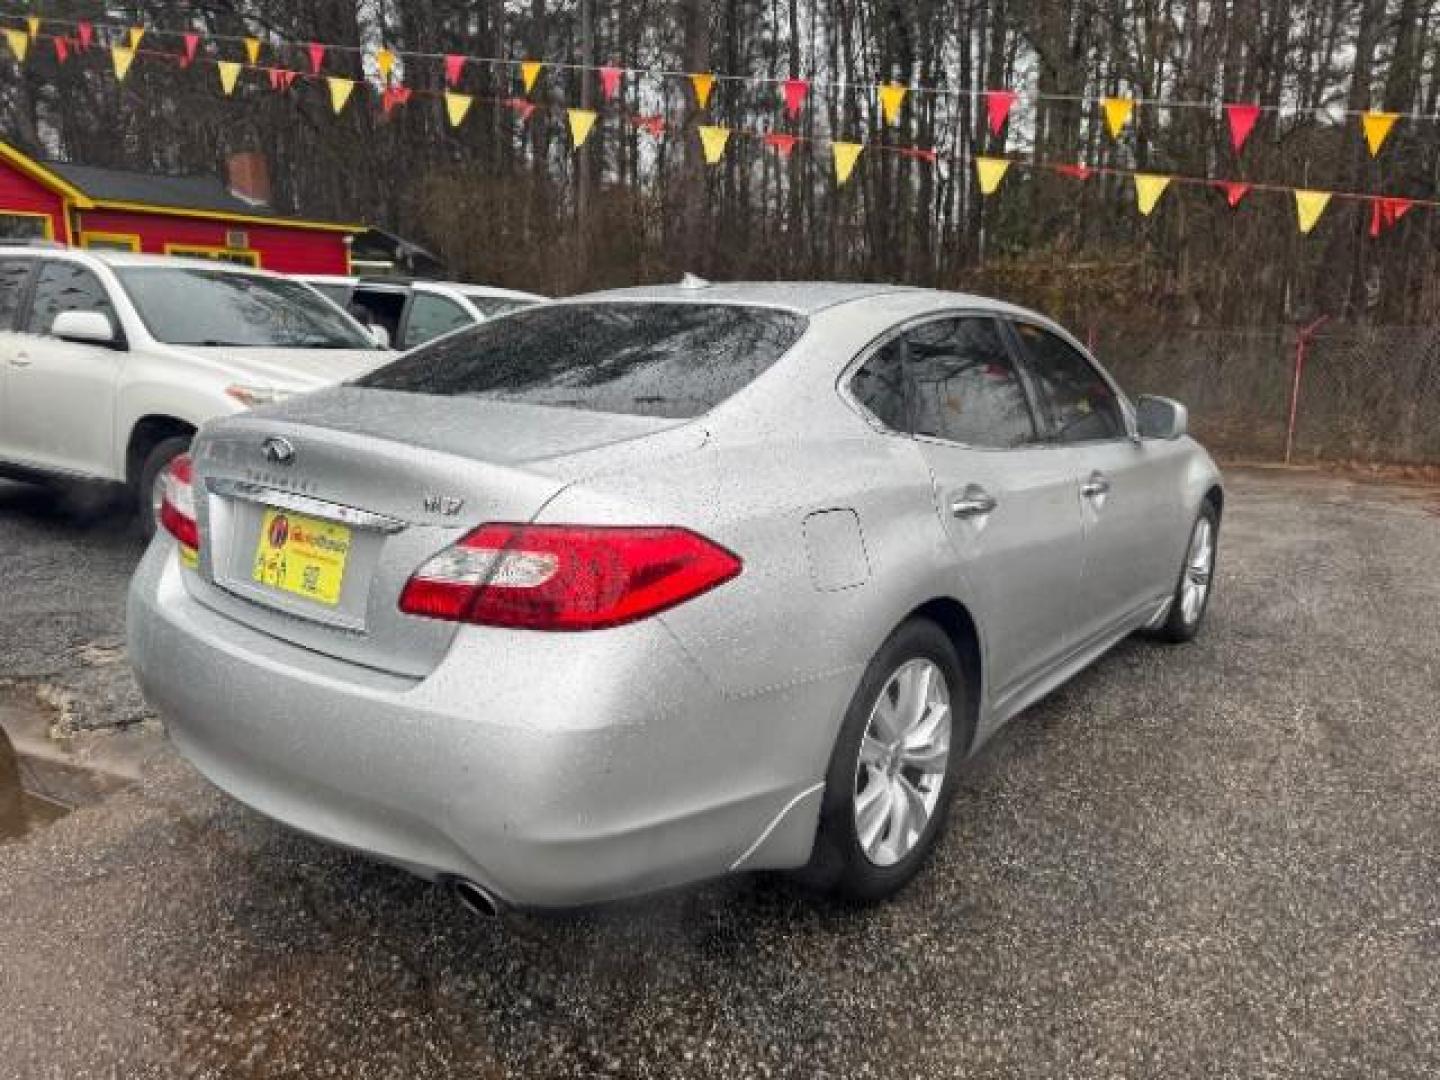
(1213, 860)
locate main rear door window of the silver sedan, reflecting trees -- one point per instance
(966, 387)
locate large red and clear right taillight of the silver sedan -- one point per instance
(567, 578)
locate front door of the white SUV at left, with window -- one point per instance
(60, 404)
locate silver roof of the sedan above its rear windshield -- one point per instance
(804, 297)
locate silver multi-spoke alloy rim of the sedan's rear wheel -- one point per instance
(904, 757)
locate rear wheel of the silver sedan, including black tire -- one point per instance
(863, 866)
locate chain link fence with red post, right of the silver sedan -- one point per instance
(1330, 392)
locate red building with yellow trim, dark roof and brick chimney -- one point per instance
(90, 207)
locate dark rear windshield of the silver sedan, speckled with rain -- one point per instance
(647, 359)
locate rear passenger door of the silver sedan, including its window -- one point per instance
(1007, 502)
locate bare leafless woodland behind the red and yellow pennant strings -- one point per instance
(513, 204)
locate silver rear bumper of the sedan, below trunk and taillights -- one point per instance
(552, 770)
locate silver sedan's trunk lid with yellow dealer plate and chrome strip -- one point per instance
(315, 515)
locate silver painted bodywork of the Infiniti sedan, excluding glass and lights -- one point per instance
(565, 768)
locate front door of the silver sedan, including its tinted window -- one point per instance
(1130, 490)
